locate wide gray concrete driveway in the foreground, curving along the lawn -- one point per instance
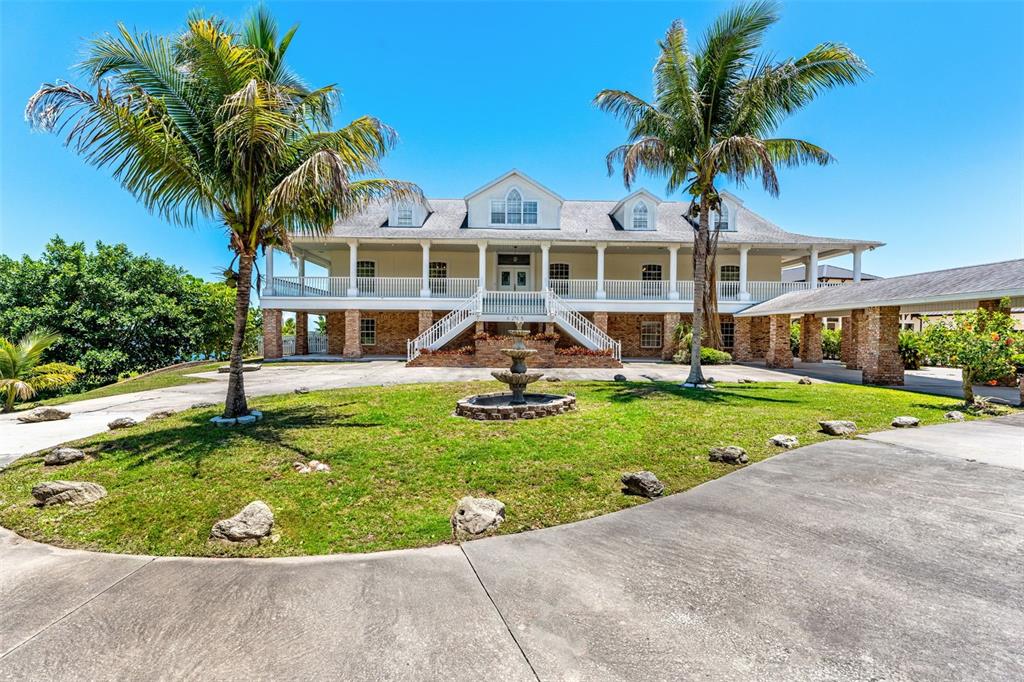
(847, 560)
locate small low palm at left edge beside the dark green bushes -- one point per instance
(21, 374)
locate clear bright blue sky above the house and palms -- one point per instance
(930, 149)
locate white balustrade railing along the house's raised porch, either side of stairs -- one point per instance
(572, 290)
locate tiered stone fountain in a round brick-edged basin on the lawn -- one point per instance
(519, 404)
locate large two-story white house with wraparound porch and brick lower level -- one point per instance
(613, 277)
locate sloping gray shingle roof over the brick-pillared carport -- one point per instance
(967, 284)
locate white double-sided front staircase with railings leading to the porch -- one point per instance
(514, 307)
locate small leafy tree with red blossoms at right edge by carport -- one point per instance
(982, 344)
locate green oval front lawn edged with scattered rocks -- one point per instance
(401, 461)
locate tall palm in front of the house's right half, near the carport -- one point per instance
(714, 113)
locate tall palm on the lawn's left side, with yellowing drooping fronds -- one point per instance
(211, 124)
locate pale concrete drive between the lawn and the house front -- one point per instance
(91, 417)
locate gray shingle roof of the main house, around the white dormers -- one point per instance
(581, 222)
